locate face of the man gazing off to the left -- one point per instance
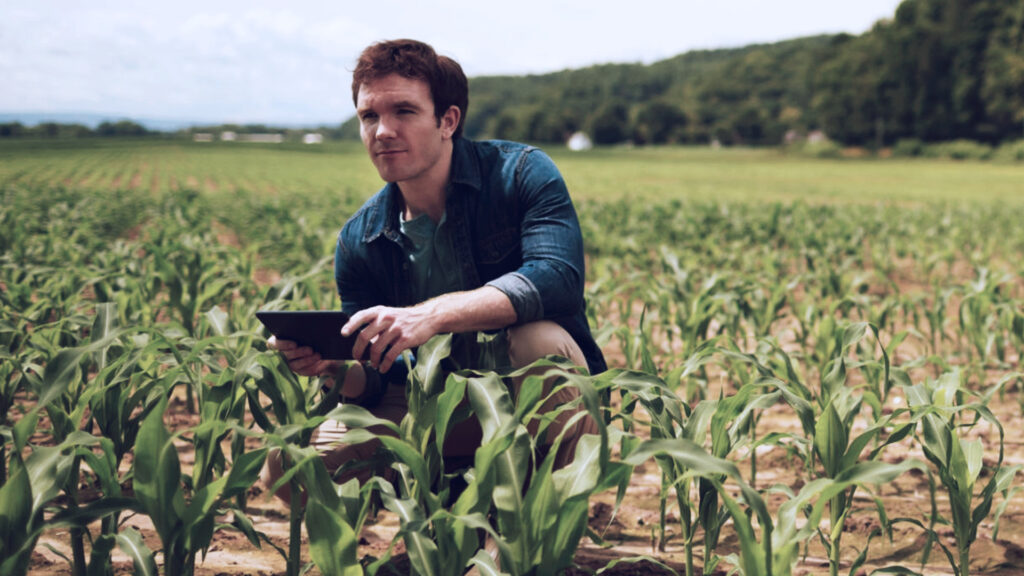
(404, 138)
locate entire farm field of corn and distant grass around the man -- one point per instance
(816, 369)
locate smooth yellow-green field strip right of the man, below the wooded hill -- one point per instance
(771, 176)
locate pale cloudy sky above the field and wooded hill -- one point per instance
(290, 63)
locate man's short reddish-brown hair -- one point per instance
(414, 60)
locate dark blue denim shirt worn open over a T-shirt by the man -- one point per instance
(515, 228)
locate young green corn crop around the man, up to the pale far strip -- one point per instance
(885, 333)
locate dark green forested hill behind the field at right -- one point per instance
(938, 70)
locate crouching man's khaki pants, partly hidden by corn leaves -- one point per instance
(527, 344)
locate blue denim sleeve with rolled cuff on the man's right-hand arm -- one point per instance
(549, 283)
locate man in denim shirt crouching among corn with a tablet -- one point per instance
(464, 238)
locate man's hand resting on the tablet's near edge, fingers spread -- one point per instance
(390, 332)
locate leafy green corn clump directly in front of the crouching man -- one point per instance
(536, 515)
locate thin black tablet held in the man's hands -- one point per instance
(319, 330)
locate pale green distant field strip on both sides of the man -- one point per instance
(648, 174)
